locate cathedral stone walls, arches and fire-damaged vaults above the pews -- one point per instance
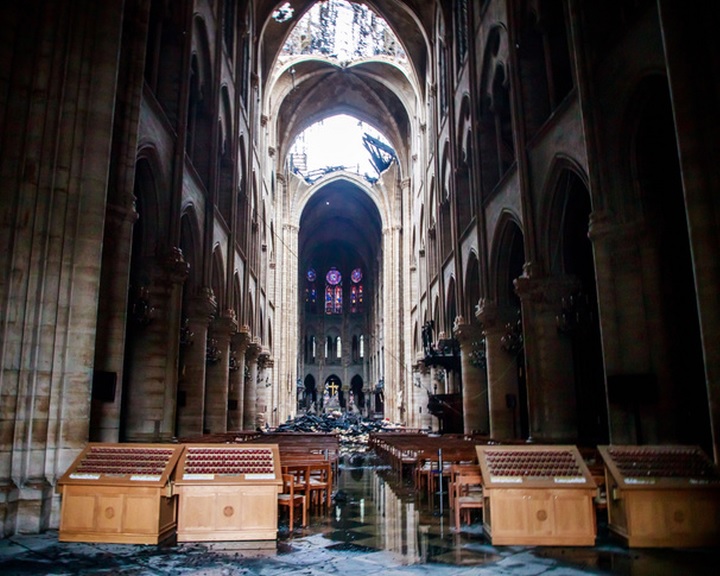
(532, 255)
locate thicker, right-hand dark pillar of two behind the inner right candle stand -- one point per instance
(548, 358)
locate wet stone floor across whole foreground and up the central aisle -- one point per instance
(377, 526)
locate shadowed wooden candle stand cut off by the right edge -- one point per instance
(661, 496)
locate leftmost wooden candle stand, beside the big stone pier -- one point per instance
(119, 493)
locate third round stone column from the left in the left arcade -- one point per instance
(218, 373)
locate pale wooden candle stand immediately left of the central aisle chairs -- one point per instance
(228, 492)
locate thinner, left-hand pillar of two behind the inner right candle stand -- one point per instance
(501, 374)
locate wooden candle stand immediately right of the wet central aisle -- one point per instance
(537, 496)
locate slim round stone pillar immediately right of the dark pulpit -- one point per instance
(474, 378)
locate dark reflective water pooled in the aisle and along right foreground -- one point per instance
(374, 510)
